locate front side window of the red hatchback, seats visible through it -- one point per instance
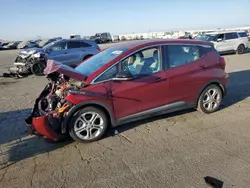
(145, 62)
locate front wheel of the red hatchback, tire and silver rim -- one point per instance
(88, 125)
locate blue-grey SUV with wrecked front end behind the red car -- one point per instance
(70, 52)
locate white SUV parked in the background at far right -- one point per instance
(227, 41)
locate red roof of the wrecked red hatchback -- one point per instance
(142, 43)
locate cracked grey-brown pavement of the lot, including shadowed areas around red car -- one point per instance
(174, 150)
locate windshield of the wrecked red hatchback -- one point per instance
(97, 61)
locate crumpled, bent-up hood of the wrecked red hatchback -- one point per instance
(54, 66)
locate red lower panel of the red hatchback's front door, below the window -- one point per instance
(140, 94)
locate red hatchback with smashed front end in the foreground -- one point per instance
(127, 82)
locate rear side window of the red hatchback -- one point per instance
(179, 55)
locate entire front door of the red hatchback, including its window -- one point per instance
(147, 90)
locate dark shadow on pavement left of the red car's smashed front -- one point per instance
(16, 144)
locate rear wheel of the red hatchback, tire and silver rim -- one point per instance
(203, 103)
